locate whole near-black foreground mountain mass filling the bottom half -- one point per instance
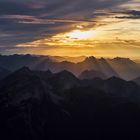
(44, 105)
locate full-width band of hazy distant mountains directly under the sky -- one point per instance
(118, 67)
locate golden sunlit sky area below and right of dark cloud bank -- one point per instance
(114, 32)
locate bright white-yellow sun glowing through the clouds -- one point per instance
(78, 34)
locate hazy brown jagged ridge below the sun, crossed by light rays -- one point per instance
(90, 63)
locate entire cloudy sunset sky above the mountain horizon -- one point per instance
(101, 28)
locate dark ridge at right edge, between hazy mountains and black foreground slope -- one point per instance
(117, 87)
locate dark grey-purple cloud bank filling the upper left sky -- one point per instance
(28, 20)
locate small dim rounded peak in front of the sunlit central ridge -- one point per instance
(91, 74)
